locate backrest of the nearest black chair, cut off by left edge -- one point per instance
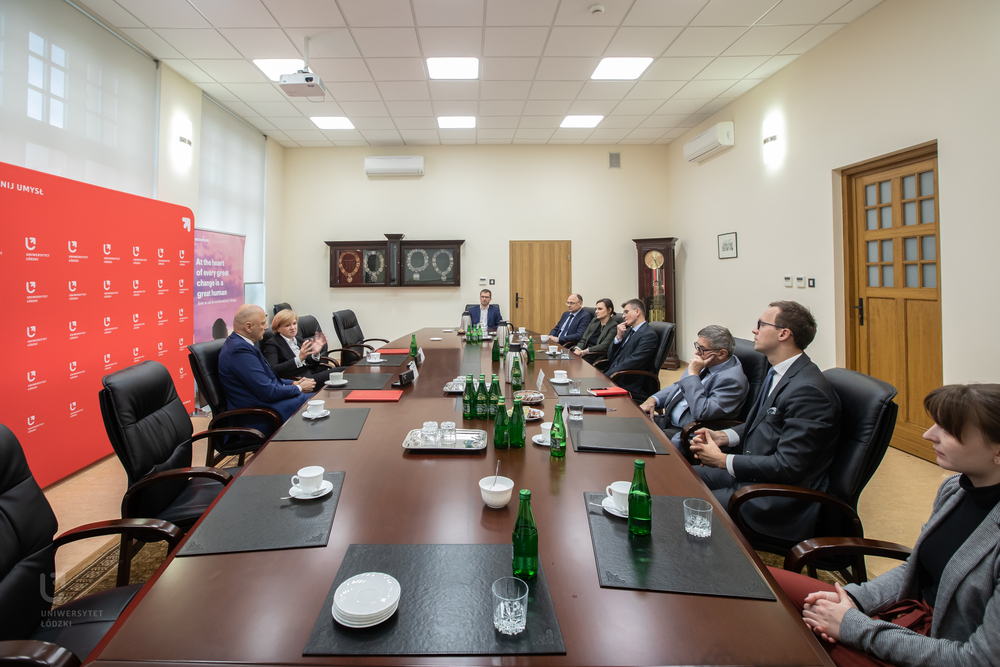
(27, 559)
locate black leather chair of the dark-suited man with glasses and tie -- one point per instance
(868, 418)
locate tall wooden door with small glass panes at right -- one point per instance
(894, 284)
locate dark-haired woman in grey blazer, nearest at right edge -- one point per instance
(941, 606)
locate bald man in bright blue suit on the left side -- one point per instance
(247, 377)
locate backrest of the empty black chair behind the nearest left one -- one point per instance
(149, 429)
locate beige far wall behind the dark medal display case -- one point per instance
(487, 195)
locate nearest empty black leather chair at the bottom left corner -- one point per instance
(27, 571)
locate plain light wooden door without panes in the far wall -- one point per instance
(541, 277)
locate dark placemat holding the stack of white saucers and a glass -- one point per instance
(445, 605)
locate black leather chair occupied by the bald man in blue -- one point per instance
(204, 360)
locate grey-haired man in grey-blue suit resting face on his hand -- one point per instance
(713, 387)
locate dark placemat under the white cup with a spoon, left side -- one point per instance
(251, 517)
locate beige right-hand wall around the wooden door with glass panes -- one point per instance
(907, 72)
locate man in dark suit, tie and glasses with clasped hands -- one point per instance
(789, 435)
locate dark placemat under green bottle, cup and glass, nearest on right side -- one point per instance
(668, 559)
